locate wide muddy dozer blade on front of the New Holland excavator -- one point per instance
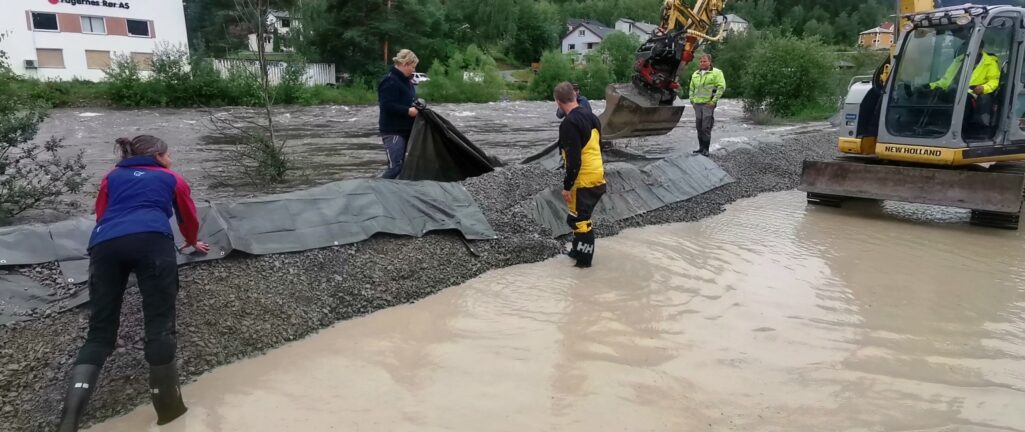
(985, 192)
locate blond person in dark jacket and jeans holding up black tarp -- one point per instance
(396, 96)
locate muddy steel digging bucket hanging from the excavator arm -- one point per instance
(630, 114)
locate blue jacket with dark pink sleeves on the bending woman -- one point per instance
(141, 197)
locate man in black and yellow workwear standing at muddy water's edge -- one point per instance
(580, 143)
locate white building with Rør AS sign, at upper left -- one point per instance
(66, 40)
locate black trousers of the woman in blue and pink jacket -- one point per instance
(153, 258)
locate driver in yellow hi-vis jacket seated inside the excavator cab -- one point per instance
(985, 82)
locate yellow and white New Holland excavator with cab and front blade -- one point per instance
(931, 128)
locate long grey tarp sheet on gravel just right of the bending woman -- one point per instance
(349, 212)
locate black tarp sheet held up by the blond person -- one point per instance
(437, 151)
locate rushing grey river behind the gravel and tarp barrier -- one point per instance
(335, 143)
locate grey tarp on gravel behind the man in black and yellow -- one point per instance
(633, 191)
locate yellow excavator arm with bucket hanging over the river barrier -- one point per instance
(645, 107)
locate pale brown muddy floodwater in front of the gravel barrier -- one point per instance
(772, 317)
